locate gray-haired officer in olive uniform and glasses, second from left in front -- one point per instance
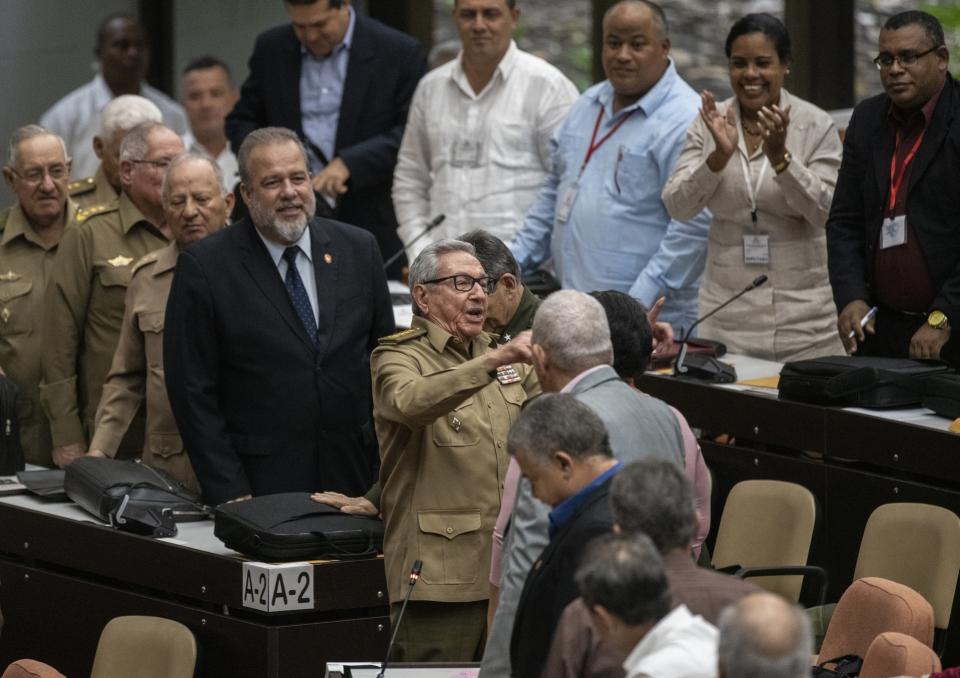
(84, 300)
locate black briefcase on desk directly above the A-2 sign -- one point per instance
(291, 526)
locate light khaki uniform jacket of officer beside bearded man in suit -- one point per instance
(136, 373)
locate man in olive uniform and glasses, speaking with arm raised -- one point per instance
(445, 396)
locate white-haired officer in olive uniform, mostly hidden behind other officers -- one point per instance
(117, 118)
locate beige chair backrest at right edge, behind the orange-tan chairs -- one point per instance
(917, 545)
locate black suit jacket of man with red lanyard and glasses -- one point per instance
(933, 201)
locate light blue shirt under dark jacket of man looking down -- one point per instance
(321, 91)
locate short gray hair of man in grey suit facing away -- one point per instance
(572, 328)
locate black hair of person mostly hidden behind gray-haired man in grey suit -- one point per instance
(630, 332)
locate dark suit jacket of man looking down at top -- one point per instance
(383, 70)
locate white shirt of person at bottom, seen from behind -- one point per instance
(681, 645)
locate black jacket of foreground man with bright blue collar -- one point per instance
(550, 585)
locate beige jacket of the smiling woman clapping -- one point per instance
(792, 316)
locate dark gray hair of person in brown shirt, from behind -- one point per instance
(654, 497)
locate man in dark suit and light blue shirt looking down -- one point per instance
(343, 82)
